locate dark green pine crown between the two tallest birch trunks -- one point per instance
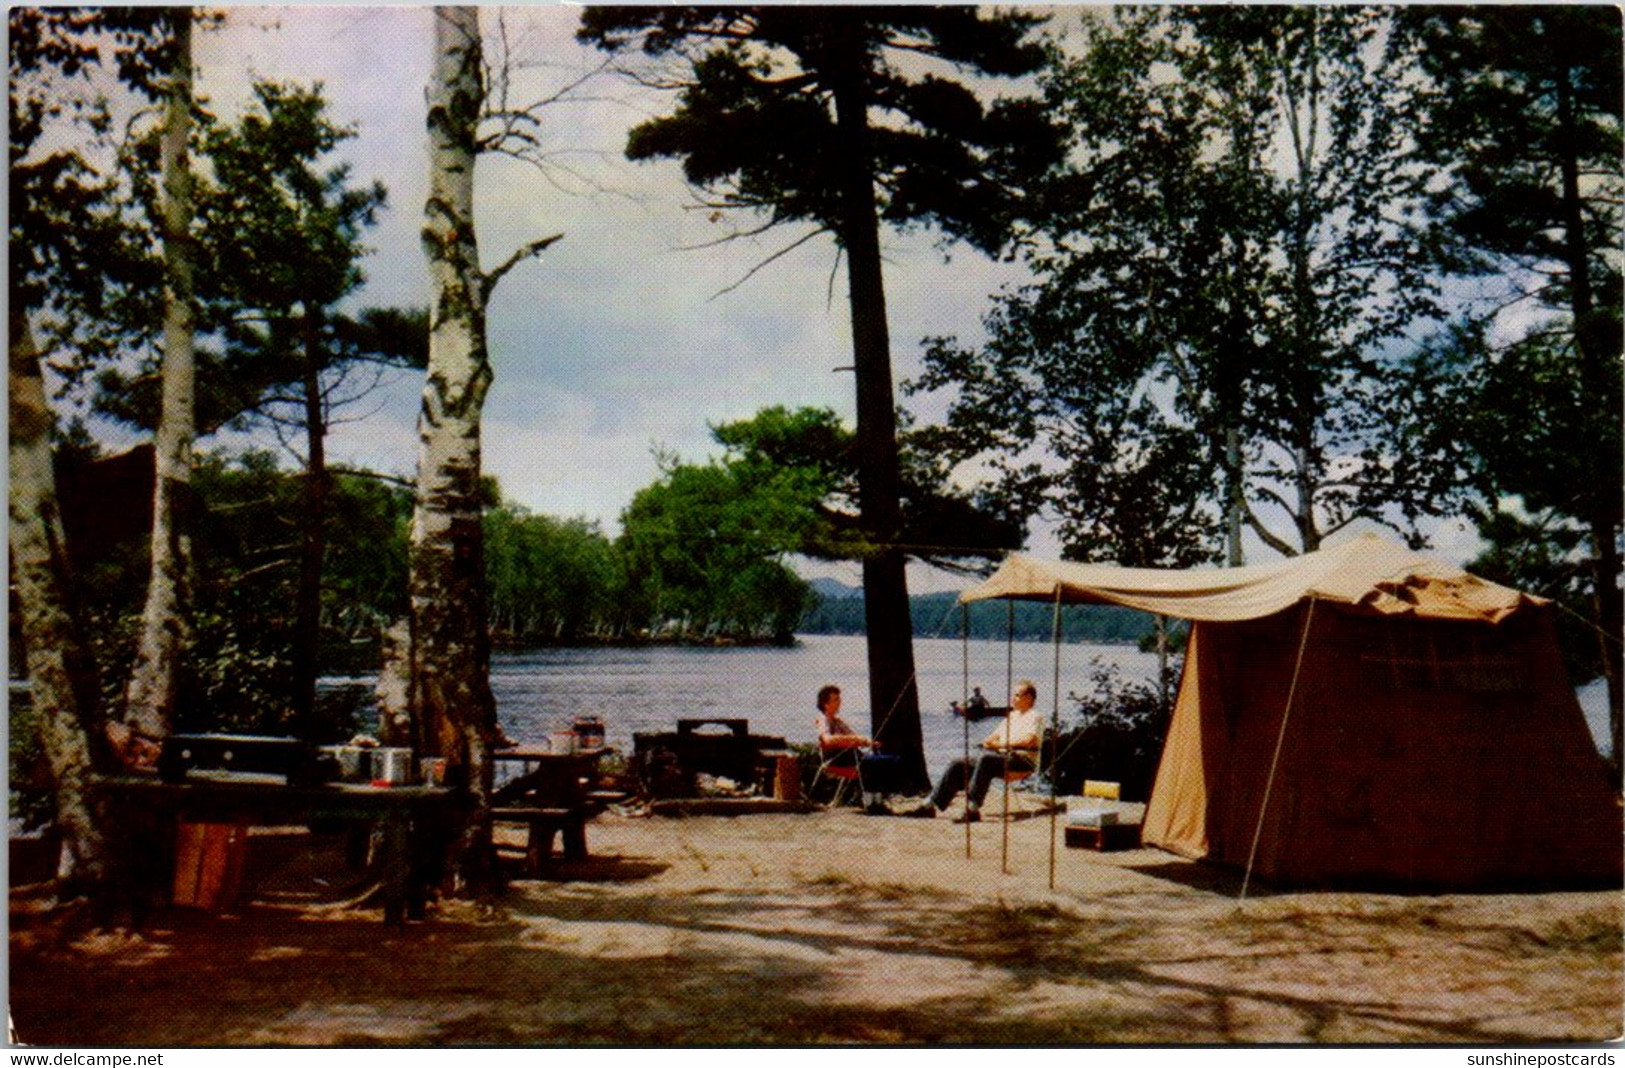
(279, 243)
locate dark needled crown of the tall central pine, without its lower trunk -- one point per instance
(758, 128)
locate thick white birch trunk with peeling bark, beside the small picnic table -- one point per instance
(451, 690)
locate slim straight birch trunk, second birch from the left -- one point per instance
(154, 690)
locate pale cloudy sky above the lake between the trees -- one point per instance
(622, 339)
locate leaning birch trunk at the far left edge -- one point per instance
(59, 666)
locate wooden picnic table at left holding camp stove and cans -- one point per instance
(414, 823)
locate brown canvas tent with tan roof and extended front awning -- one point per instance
(1363, 716)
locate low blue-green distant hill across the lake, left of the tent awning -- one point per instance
(937, 615)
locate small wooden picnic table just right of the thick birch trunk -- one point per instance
(552, 794)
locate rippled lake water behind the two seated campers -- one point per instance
(649, 688)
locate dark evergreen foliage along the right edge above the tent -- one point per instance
(1523, 126)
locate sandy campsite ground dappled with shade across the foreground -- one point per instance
(834, 927)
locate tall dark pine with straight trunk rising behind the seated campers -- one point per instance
(847, 118)
